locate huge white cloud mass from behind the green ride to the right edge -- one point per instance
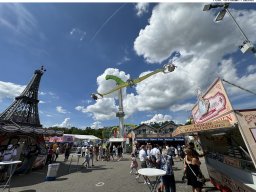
(198, 52)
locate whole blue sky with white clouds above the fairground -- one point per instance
(80, 43)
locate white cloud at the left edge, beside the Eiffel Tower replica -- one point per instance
(10, 90)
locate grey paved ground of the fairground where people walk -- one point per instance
(112, 176)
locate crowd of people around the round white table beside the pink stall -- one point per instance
(162, 158)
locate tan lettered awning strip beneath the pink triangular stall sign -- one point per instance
(211, 125)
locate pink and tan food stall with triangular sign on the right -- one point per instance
(227, 136)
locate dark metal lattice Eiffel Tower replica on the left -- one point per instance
(24, 110)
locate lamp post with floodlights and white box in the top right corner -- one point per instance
(247, 45)
